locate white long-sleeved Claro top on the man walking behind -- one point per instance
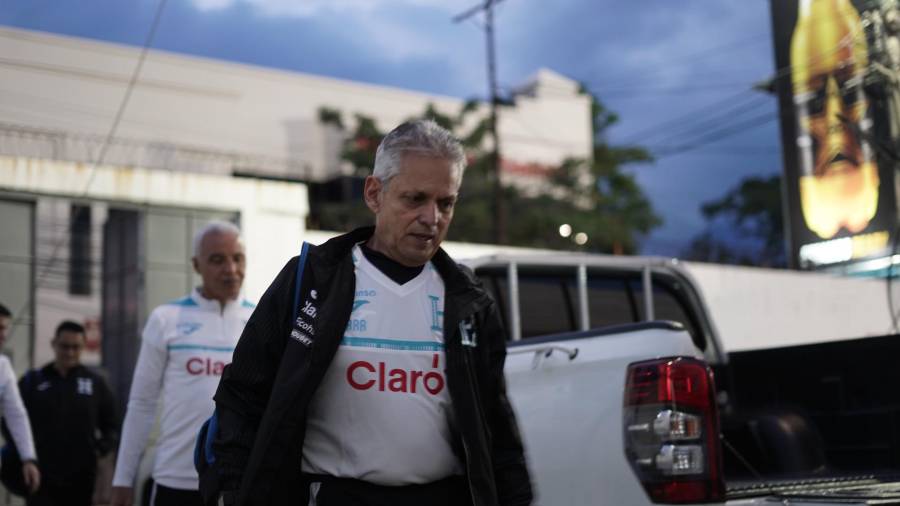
(185, 346)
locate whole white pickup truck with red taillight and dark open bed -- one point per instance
(610, 370)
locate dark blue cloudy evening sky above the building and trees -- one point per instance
(659, 64)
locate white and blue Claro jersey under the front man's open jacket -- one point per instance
(382, 413)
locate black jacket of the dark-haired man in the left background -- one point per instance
(74, 421)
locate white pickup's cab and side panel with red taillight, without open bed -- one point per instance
(586, 330)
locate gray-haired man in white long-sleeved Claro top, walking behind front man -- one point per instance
(185, 346)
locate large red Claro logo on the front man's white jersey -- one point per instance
(364, 375)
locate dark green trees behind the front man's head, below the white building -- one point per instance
(596, 197)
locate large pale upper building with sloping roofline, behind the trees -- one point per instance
(59, 95)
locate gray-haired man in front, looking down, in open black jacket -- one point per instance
(371, 374)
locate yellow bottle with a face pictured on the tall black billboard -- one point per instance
(838, 173)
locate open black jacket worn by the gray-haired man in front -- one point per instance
(264, 394)
